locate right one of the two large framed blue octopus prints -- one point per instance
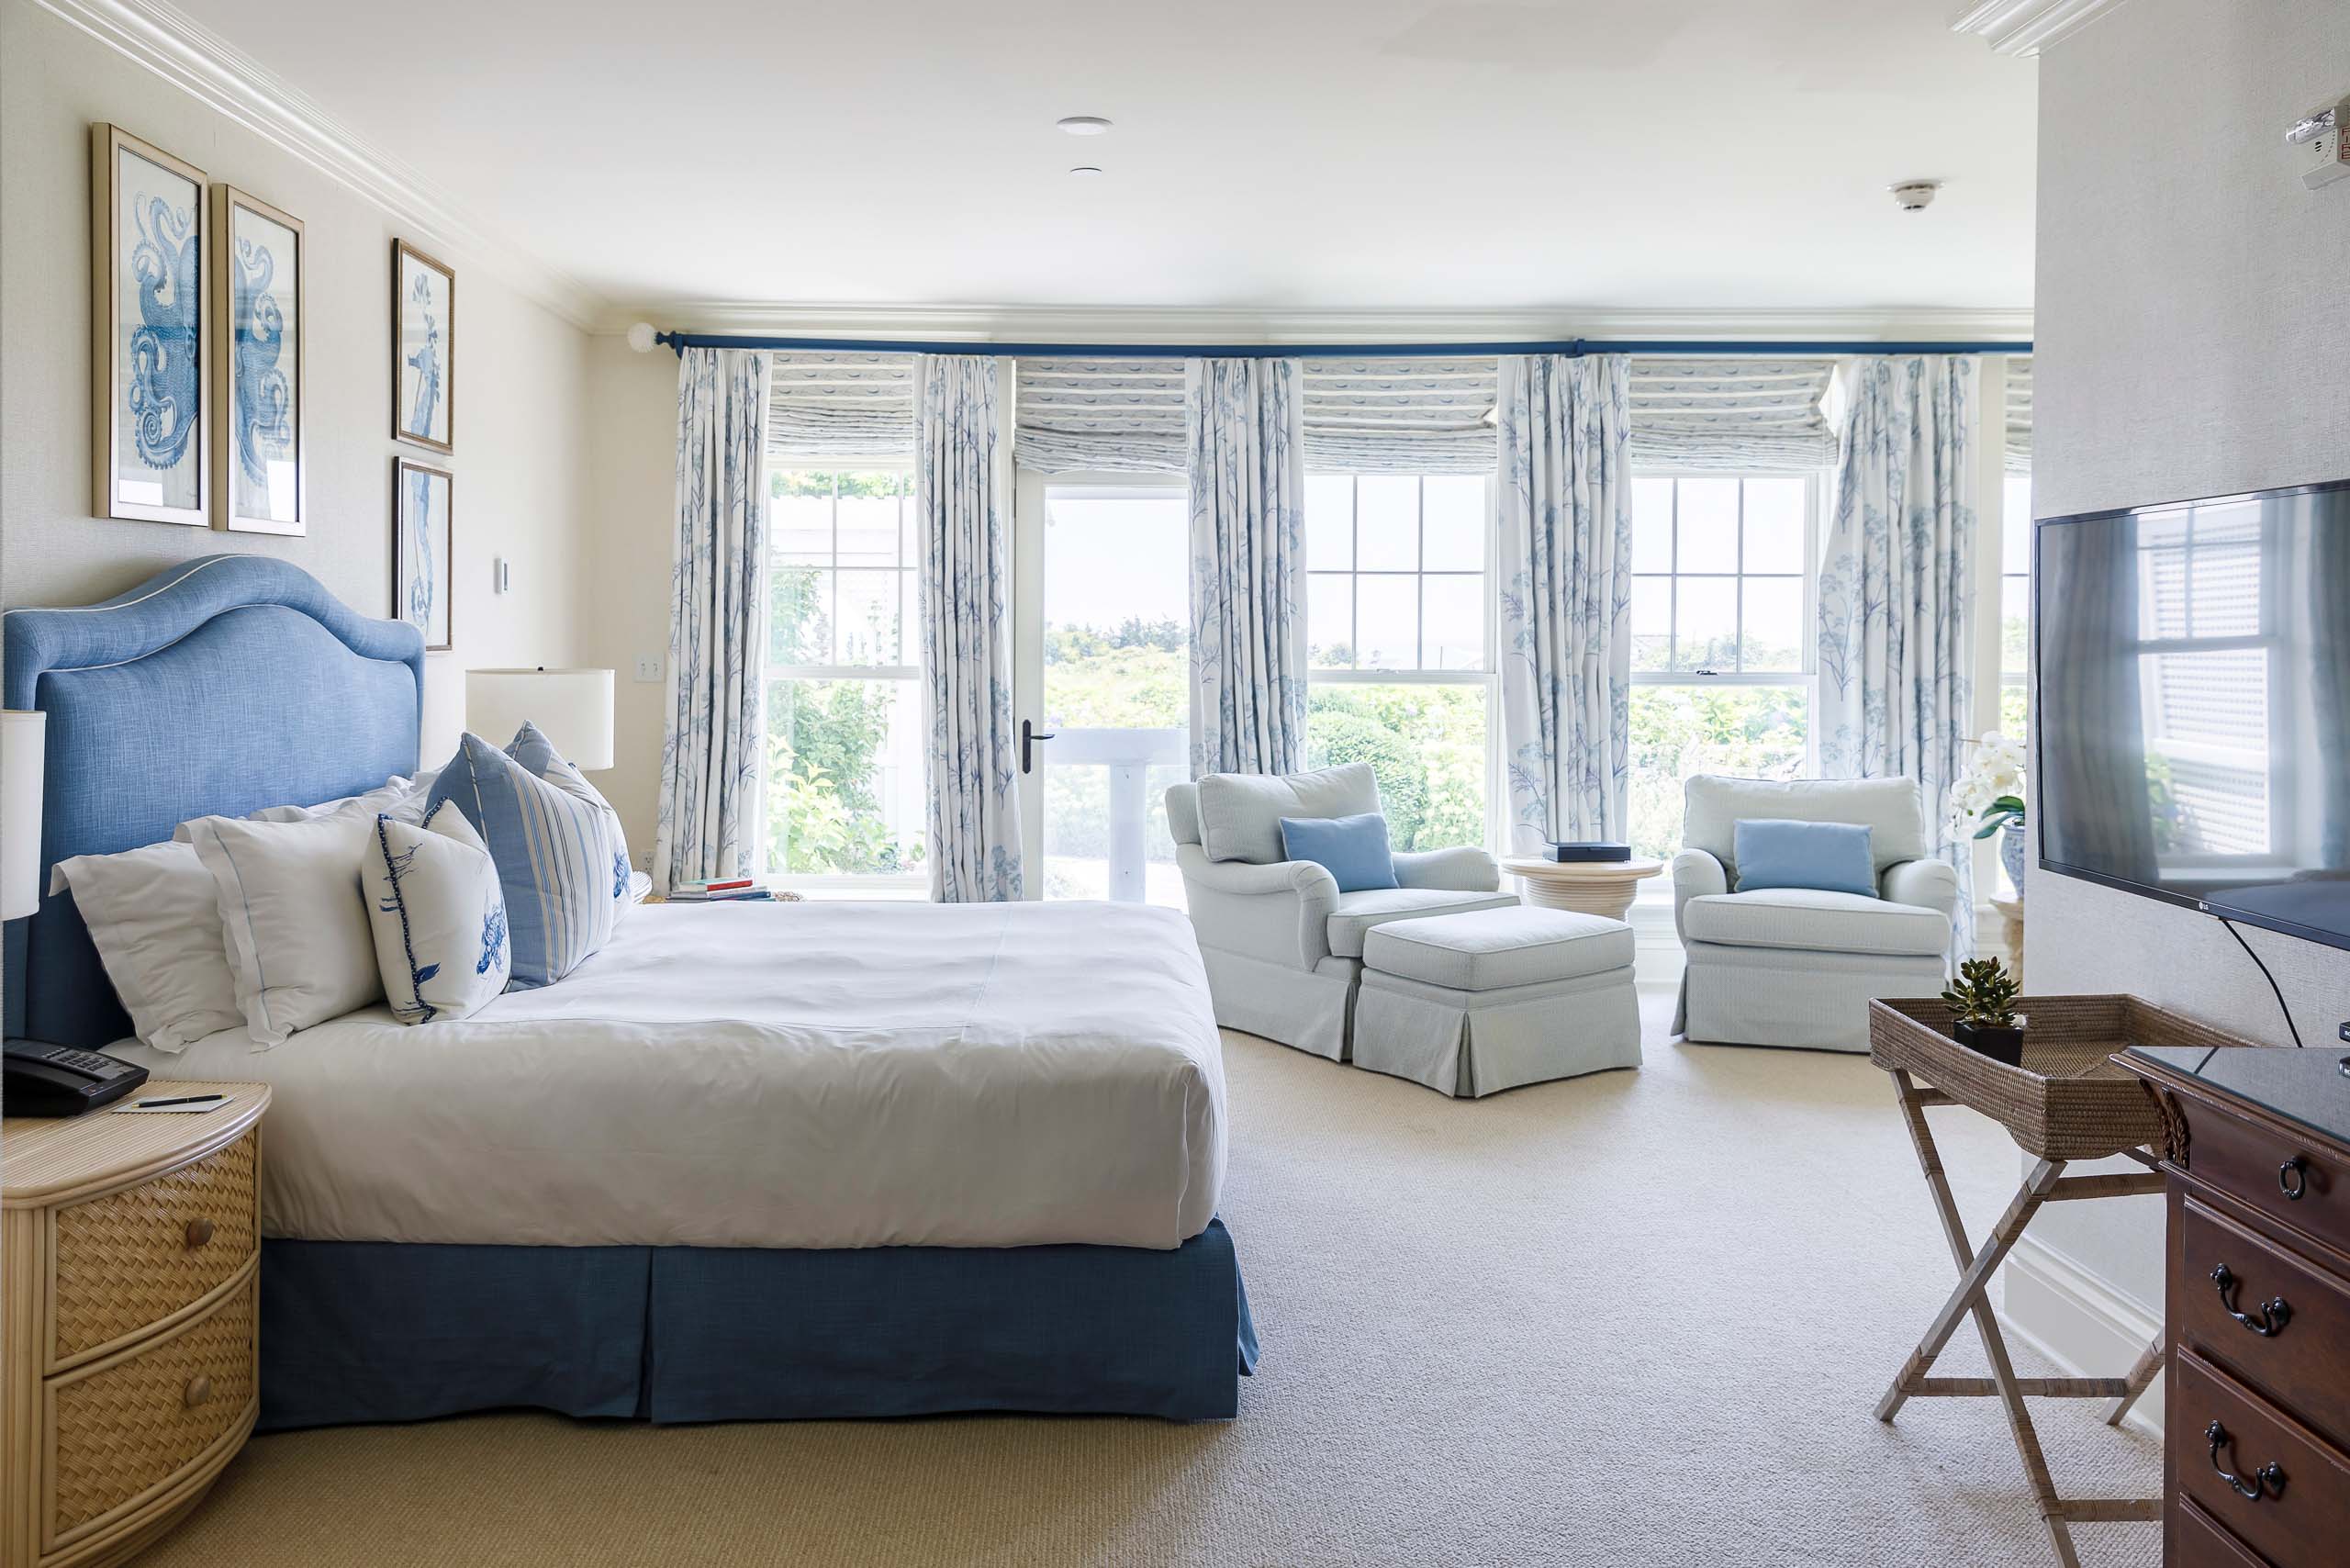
(262, 453)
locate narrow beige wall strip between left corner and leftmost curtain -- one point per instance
(633, 471)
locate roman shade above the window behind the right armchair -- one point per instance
(1731, 415)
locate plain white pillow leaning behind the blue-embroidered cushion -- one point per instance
(297, 925)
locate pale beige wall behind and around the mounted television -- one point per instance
(2191, 340)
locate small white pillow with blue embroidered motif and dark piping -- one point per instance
(438, 916)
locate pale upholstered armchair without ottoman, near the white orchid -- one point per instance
(1797, 967)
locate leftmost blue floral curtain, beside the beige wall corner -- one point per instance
(711, 803)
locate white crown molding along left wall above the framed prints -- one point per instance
(224, 79)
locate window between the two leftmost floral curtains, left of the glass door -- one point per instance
(845, 760)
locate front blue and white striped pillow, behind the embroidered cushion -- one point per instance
(553, 855)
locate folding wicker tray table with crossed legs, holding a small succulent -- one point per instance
(2067, 1101)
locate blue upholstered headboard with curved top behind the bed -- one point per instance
(217, 688)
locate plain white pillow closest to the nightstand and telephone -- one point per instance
(156, 925)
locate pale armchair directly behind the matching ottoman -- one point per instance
(1284, 949)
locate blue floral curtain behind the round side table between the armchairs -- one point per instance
(1566, 596)
